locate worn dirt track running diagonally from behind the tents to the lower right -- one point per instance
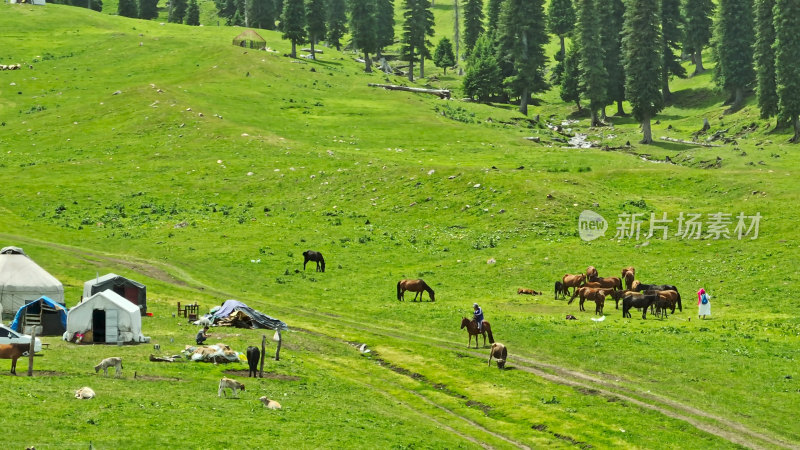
(724, 428)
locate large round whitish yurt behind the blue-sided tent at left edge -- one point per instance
(23, 281)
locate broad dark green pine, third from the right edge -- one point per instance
(733, 47)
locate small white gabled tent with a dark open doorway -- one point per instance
(105, 317)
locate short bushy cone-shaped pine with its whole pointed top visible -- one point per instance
(482, 78)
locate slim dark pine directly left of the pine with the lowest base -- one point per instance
(611, 19)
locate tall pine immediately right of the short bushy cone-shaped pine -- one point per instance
(522, 38)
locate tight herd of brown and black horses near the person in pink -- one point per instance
(589, 286)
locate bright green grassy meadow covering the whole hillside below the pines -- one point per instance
(163, 153)
